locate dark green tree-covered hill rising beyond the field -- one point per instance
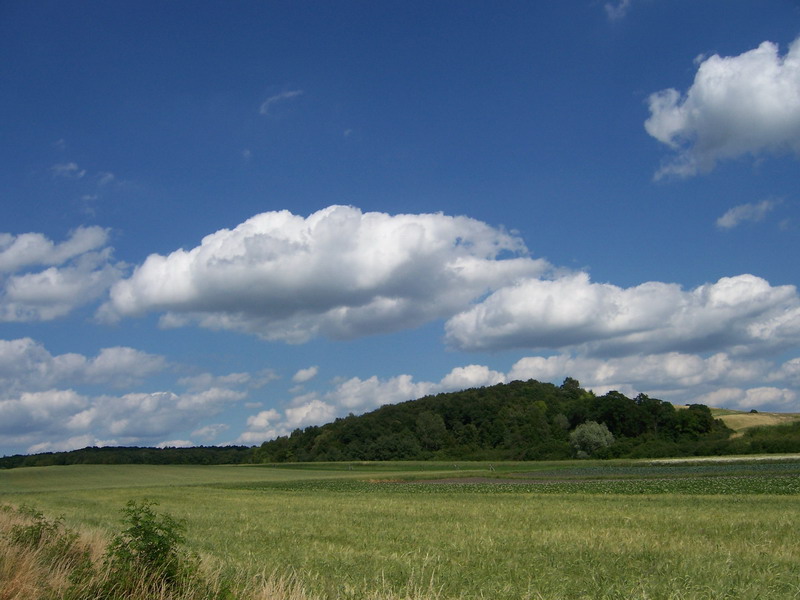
(515, 421)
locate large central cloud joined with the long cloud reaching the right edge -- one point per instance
(341, 273)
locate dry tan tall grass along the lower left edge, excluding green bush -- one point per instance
(40, 559)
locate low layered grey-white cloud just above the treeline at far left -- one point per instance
(39, 400)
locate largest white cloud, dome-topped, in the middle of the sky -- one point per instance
(338, 273)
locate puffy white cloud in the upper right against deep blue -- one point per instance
(738, 105)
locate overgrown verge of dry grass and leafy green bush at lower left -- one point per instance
(42, 559)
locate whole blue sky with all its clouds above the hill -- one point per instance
(226, 220)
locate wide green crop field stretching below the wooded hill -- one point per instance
(615, 529)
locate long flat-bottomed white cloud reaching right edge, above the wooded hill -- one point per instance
(739, 314)
